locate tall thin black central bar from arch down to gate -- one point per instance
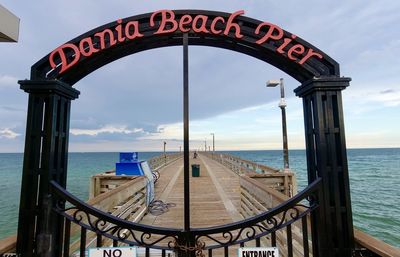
(186, 132)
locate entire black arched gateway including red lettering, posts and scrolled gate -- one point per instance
(44, 221)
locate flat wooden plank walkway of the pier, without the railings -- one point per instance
(214, 196)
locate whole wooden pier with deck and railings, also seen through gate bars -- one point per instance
(228, 190)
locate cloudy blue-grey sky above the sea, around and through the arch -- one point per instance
(135, 103)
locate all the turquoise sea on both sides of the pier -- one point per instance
(374, 181)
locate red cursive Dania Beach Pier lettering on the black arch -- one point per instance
(165, 22)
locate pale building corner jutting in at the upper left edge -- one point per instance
(9, 26)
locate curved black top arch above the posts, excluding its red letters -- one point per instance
(314, 67)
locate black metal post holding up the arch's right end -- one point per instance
(327, 159)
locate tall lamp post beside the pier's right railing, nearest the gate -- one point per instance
(282, 105)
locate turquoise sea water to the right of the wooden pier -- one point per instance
(374, 184)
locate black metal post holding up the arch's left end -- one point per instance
(45, 159)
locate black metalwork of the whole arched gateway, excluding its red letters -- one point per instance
(40, 230)
